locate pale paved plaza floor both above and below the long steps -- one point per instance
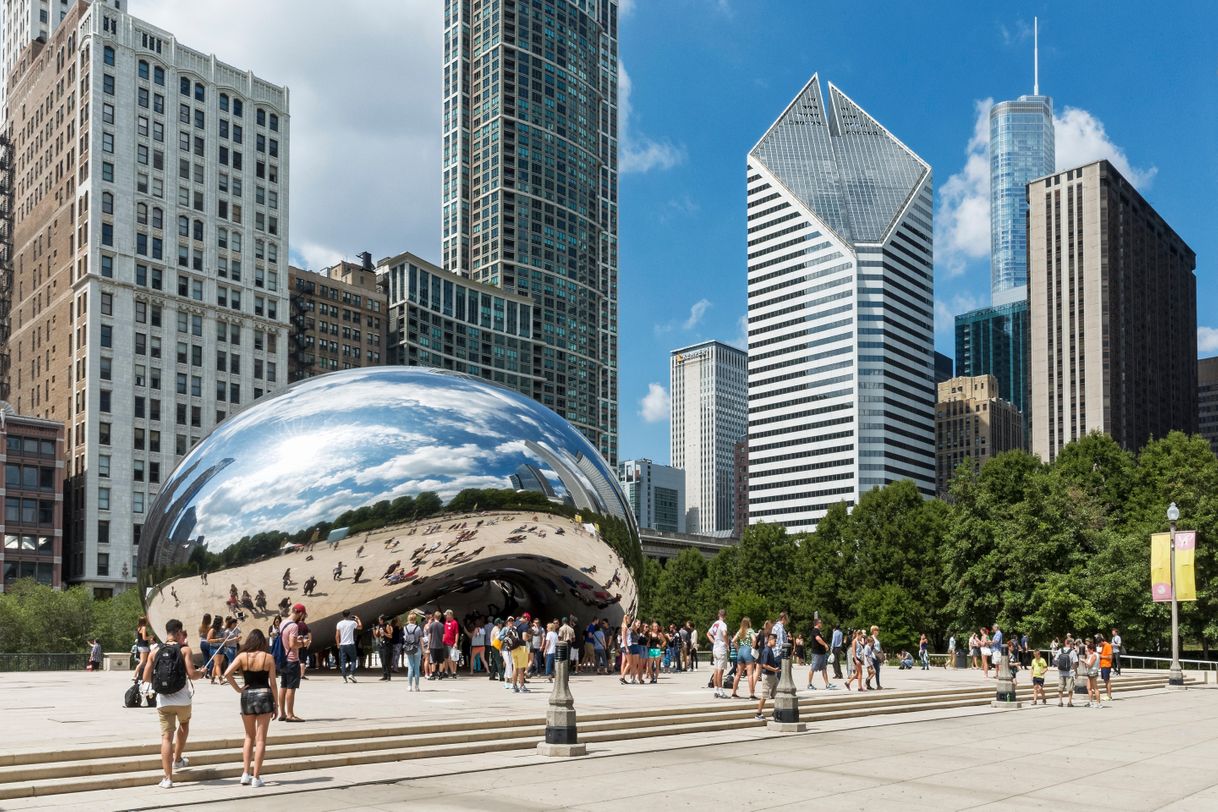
(1147, 751)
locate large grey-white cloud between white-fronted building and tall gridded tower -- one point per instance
(366, 116)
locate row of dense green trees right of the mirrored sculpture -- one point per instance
(1037, 548)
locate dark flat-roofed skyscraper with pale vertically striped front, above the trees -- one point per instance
(1114, 313)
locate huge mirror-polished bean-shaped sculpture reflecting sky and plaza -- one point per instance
(384, 490)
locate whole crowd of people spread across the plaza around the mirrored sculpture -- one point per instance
(435, 646)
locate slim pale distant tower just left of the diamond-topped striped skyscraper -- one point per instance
(709, 402)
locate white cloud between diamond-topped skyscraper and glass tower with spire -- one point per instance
(963, 223)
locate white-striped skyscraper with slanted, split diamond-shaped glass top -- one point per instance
(841, 312)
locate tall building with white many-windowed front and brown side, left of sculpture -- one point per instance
(150, 225)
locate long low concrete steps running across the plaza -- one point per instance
(122, 766)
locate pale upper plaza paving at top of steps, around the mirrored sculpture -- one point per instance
(44, 710)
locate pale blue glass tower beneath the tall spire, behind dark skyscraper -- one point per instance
(1021, 149)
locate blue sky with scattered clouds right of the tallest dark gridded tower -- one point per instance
(708, 77)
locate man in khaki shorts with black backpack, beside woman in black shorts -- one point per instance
(170, 670)
